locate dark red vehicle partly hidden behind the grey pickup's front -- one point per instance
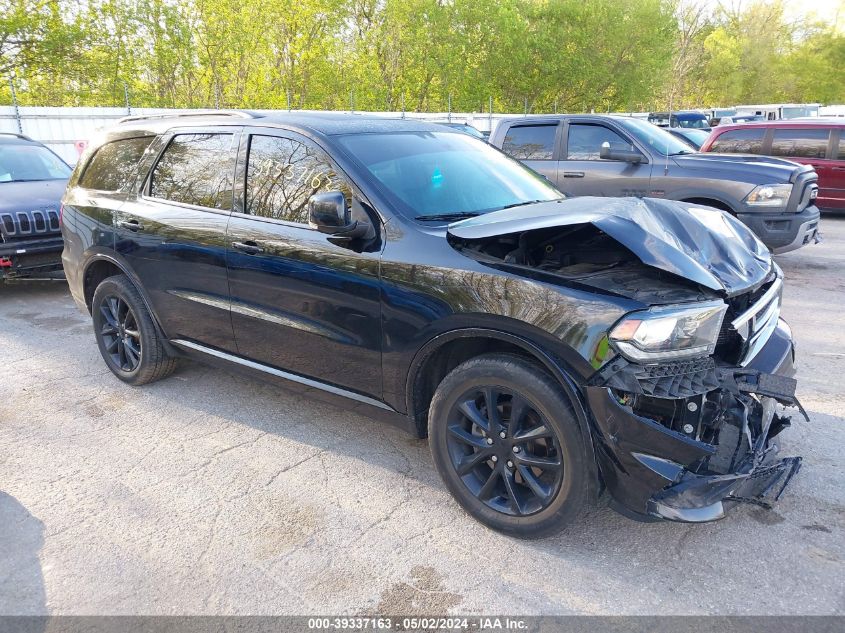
(819, 143)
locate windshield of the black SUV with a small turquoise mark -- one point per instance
(434, 174)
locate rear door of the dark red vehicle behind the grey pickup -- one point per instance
(814, 146)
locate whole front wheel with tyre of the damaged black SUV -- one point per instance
(506, 443)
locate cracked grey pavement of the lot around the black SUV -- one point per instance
(214, 493)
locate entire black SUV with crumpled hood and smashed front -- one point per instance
(548, 348)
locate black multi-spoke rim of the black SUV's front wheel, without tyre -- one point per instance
(504, 451)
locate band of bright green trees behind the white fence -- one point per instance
(568, 55)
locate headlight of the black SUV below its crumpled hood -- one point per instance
(669, 333)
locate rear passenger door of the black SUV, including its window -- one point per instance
(173, 234)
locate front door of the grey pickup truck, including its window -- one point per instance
(583, 172)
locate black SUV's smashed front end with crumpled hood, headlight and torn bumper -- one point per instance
(684, 400)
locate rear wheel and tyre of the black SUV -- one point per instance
(126, 335)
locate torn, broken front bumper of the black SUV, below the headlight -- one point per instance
(717, 444)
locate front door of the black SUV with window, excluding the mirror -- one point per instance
(300, 302)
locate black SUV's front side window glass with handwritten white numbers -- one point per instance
(282, 174)
